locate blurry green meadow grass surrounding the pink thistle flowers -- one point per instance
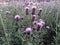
(9, 35)
